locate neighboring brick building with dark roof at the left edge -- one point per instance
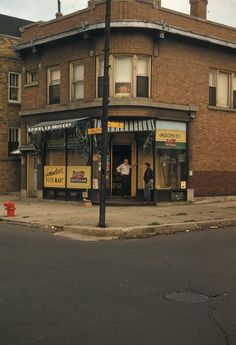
(10, 99)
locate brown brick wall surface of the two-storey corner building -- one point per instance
(180, 74)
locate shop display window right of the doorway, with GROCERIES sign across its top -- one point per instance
(171, 163)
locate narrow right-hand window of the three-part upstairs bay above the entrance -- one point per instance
(142, 77)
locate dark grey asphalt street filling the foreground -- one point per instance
(167, 290)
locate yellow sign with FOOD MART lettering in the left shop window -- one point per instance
(54, 176)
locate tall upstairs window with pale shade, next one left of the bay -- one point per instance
(77, 81)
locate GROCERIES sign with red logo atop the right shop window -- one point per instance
(171, 138)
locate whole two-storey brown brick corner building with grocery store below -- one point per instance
(172, 84)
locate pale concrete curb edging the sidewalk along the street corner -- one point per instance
(132, 232)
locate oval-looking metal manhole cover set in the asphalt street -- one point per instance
(186, 297)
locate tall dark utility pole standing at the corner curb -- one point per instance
(105, 102)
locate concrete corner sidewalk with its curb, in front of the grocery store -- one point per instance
(122, 222)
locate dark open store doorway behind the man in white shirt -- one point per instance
(119, 153)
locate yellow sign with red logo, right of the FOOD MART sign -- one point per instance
(79, 177)
